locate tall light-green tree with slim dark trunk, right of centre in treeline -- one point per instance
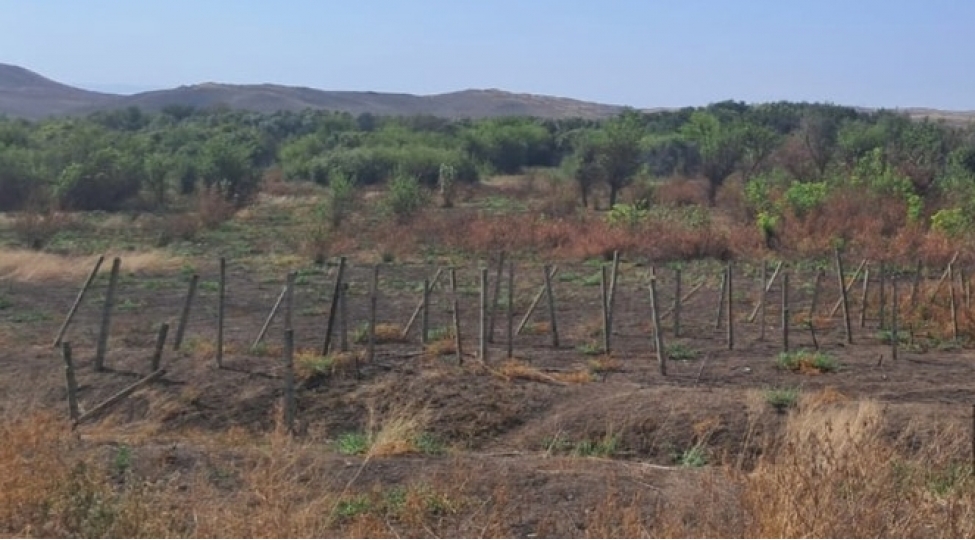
(719, 145)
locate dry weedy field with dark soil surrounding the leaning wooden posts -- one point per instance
(563, 441)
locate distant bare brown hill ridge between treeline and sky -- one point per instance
(25, 94)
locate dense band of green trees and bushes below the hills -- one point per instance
(786, 154)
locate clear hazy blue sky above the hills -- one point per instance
(644, 53)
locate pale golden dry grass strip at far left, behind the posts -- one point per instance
(35, 266)
